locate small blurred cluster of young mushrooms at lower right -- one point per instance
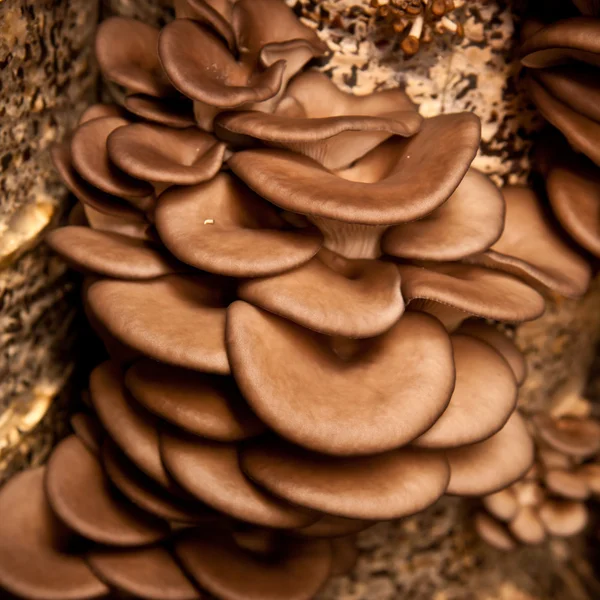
(551, 499)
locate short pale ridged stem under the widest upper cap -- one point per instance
(351, 240)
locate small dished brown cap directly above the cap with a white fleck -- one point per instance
(162, 154)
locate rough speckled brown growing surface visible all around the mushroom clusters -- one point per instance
(47, 76)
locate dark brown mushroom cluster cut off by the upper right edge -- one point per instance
(562, 56)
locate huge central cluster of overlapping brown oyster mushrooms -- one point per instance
(291, 283)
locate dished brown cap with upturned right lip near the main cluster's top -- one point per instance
(201, 66)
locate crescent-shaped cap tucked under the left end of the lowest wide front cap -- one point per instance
(210, 471)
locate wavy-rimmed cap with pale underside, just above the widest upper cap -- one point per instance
(318, 120)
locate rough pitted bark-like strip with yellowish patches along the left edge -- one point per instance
(47, 77)
